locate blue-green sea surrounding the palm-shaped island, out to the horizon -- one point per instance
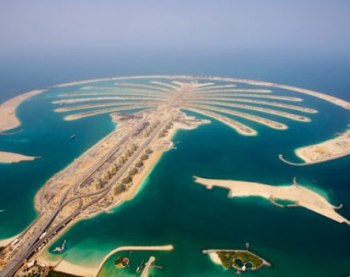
(171, 208)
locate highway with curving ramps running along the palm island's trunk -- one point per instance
(30, 247)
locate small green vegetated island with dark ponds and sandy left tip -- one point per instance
(241, 260)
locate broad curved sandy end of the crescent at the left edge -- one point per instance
(8, 115)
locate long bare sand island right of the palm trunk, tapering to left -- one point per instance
(303, 196)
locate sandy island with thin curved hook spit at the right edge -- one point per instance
(322, 152)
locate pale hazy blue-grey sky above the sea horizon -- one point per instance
(178, 25)
